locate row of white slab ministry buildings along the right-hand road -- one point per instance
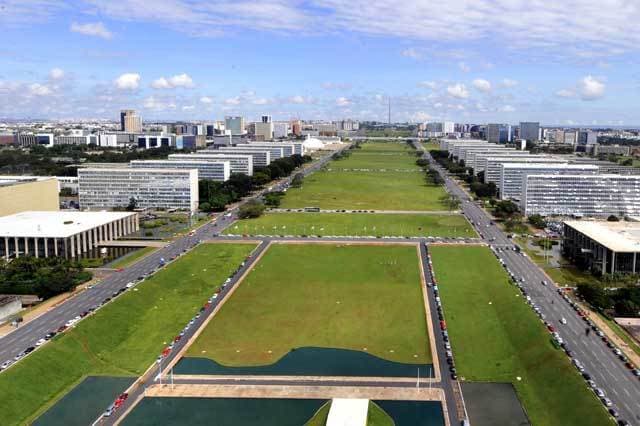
(551, 185)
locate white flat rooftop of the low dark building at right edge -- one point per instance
(616, 236)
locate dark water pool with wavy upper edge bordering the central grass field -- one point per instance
(312, 361)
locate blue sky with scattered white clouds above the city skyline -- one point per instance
(565, 62)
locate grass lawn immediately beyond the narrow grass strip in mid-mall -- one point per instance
(366, 190)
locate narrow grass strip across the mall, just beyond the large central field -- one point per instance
(355, 224)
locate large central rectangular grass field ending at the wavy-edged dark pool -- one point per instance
(322, 295)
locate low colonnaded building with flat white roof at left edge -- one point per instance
(68, 234)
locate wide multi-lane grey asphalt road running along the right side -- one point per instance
(609, 373)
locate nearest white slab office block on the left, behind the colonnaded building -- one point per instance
(107, 188)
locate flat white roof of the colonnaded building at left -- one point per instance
(60, 224)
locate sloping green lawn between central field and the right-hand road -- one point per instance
(496, 337)
